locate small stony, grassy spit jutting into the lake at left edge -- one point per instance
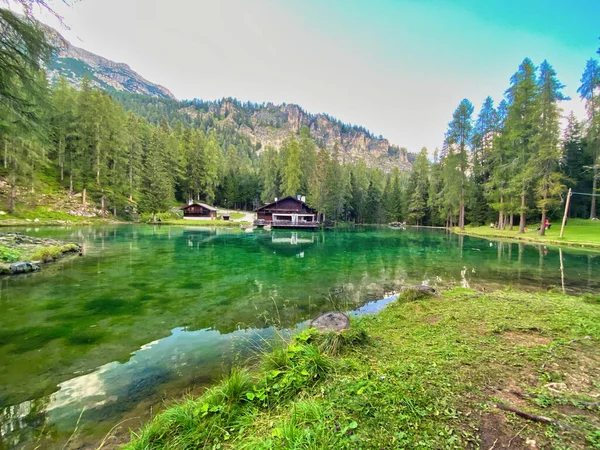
(24, 254)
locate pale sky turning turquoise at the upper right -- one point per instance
(397, 67)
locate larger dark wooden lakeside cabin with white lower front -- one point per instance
(289, 212)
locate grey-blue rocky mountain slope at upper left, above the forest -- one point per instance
(74, 63)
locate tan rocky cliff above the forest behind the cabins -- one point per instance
(269, 125)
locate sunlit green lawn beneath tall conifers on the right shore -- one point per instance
(578, 233)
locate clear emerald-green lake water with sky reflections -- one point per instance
(151, 313)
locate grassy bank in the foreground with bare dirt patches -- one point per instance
(428, 372)
